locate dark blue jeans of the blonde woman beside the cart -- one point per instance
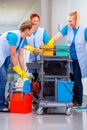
(78, 87)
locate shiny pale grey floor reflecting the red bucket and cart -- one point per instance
(32, 121)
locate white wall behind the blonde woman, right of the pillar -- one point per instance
(61, 8)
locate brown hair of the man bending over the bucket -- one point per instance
(26, 25)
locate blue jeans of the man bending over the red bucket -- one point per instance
(3, 81)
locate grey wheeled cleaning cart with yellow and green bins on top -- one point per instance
(56, 87)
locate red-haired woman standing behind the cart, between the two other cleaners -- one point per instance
(38, 38)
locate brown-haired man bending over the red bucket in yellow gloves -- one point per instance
(12, 46)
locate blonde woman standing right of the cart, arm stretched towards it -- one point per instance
(77, 38)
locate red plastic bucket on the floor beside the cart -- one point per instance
(20, 103)
